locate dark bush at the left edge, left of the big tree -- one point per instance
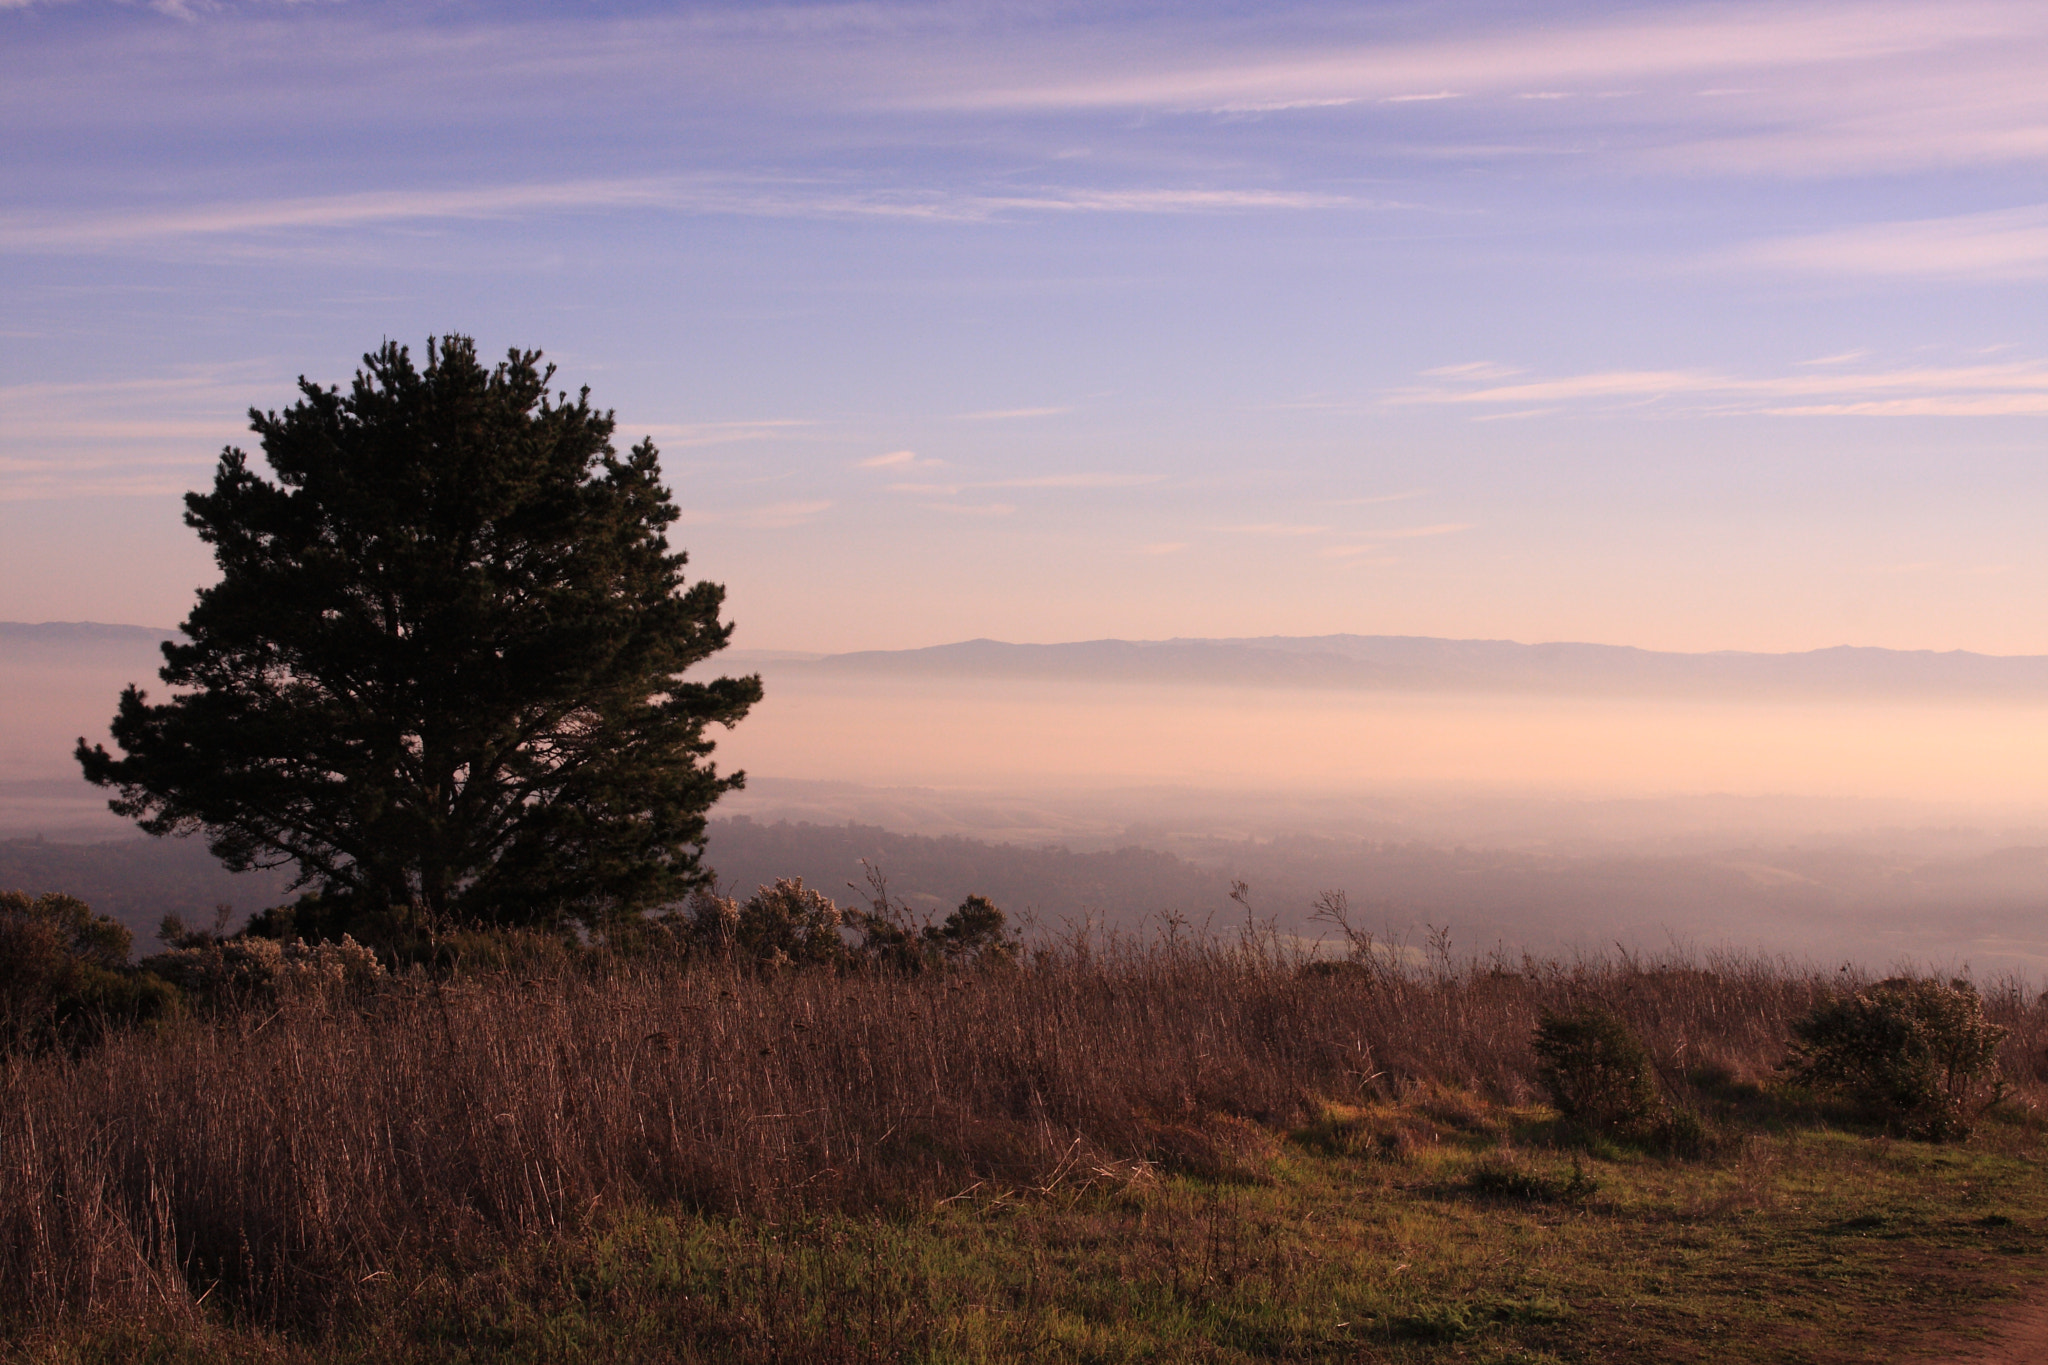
(65, 975)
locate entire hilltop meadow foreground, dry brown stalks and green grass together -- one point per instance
(792, 1131)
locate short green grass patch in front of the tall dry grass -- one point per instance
(1441, 1231)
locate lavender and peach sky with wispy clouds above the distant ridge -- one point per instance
(1687, 326)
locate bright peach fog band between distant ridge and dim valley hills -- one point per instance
(1308, 744)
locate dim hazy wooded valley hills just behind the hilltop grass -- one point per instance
(1842, 904)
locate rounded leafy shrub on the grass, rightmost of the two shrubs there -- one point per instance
(1908, 1051)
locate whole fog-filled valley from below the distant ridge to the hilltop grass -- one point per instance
(1832, 820)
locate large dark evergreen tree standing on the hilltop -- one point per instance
(441, 670)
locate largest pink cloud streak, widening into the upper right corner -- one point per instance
(1818, 87)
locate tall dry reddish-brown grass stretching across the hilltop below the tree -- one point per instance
(288, 1151)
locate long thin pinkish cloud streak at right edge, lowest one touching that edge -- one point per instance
(1910, 392)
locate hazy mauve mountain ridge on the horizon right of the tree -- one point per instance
(1426, 664)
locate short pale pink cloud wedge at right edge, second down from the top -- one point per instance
(1988, 247)
